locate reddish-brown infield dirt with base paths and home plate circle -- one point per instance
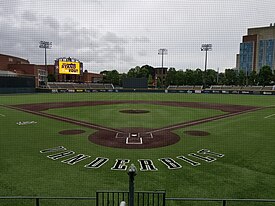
(135, 138)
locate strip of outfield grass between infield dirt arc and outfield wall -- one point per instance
(253, 100)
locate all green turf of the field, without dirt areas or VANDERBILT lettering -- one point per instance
(247, 141)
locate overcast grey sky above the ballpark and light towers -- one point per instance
(122, 34)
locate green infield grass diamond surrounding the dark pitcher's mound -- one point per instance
(158, 116)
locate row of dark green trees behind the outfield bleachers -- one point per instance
(194, 77)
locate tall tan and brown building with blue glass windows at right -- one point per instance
(257, 49)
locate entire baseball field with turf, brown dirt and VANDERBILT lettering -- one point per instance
(190, 145)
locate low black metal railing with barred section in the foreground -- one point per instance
(142, 199)
